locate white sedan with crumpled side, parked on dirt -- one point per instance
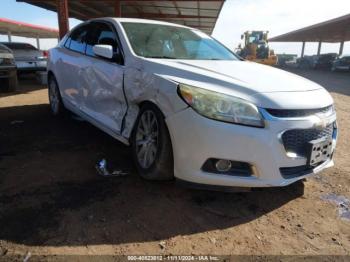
(189, 107)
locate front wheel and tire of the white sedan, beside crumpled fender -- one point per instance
(151, 145)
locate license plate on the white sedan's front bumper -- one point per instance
(320, 150)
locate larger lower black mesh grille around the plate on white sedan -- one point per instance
(296, 140)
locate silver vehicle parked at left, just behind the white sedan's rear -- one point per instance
(28, 58)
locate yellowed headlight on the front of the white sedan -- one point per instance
(221, 107)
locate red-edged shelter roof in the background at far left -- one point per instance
(26, 30)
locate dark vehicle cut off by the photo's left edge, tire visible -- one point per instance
(8, 70)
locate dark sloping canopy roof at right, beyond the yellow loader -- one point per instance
(331, 31)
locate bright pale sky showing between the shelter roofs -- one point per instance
(236, 17)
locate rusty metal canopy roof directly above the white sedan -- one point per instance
(201, 14)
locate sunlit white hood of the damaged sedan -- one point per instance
(259, 84)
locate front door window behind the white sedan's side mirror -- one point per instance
(101, 34)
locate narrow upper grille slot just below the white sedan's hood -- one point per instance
(299, 112)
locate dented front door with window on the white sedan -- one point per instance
(103, 94)
